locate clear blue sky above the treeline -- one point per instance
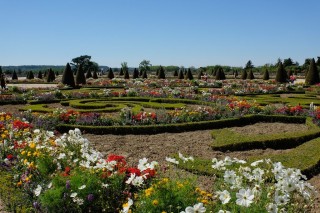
(167, 32)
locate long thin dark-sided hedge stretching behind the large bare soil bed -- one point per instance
(182, 127)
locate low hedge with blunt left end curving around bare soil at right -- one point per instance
(226, 140)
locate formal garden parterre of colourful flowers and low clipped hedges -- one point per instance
(47, 165)
